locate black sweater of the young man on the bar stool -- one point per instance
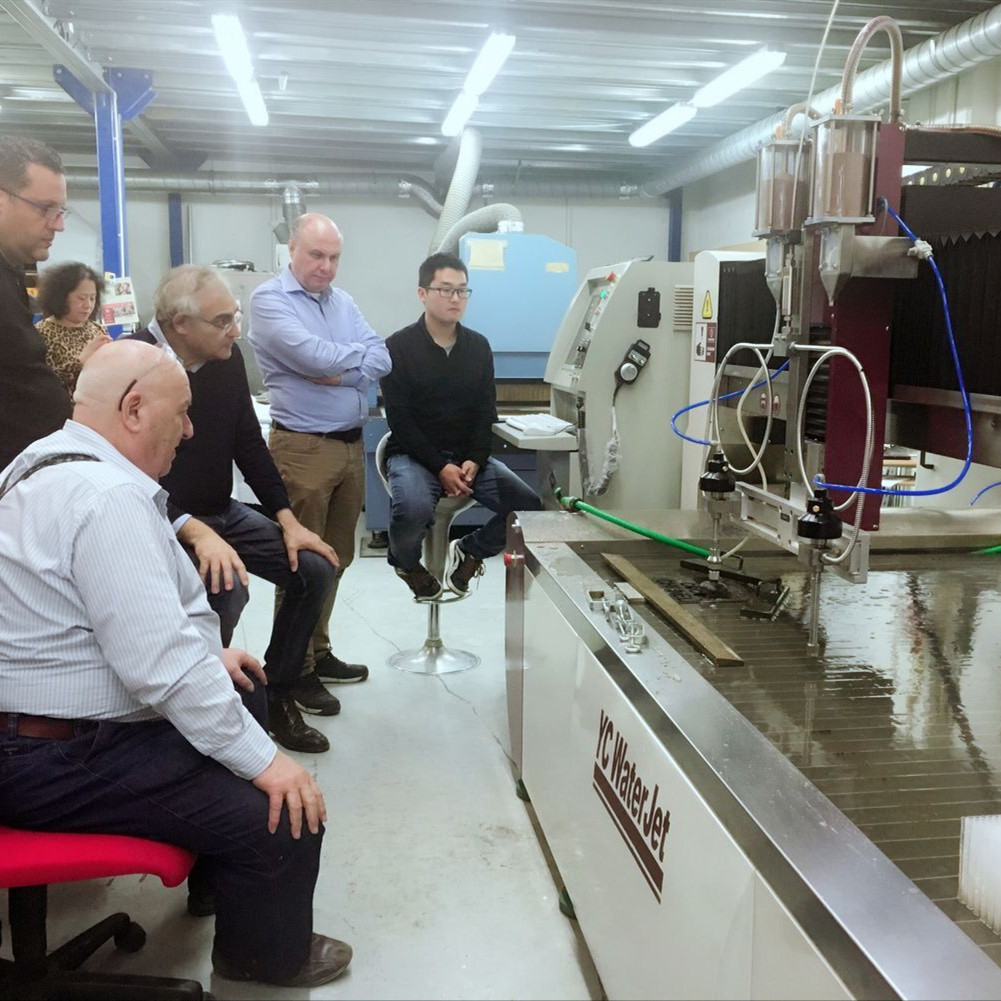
(438, 403)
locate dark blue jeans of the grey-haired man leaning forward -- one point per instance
(260, 544)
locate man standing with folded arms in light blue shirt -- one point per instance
(319, 358)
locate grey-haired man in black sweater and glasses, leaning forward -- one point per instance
(198, 321)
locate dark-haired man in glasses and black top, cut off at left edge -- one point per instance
(33, 208)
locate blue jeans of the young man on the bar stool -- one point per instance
(416, 491)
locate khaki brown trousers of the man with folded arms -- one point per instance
(326, 480)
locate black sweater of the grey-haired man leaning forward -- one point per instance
(227, 431)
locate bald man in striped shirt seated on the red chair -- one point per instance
(119, 712)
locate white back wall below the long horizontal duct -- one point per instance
(385, 242)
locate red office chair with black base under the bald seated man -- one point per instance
(32, 860)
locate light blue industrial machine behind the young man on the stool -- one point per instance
(523, 285)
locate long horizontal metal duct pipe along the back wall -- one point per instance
(372, 186)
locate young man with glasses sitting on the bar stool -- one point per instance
(441, 404)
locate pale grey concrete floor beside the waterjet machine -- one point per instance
(432, 868)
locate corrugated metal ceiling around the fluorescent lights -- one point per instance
(370, 82)
